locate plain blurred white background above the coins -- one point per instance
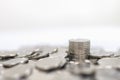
(35, 22)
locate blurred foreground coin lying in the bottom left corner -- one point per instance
(18, 72)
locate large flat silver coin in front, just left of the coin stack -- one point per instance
(48, 64)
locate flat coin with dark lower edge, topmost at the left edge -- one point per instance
(7, 54)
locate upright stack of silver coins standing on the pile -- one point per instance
(79, 49)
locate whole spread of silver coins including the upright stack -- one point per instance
(76, 62)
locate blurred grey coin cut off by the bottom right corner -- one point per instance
(107, 74)
